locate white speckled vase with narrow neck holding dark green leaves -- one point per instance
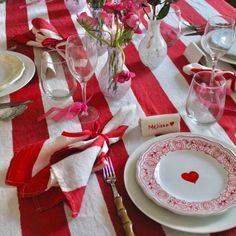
(152, 48)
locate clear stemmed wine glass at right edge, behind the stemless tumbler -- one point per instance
(218, 37)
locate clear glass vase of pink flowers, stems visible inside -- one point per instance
(109, 86)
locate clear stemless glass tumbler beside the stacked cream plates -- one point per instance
(56, 80)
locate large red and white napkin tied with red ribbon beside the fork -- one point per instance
(59, 168)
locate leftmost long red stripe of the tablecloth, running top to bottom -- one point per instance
(24, 129)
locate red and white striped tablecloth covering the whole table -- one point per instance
(160, 91)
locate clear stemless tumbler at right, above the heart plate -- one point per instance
(206, 98)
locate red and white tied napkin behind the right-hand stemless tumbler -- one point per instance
(230, 76)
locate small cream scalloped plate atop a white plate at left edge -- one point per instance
(11, 69)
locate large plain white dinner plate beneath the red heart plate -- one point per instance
(192, 224)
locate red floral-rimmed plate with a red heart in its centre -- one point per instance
(189, 175)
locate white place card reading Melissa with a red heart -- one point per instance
(160, 124)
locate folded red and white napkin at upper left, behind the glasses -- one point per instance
(43, 34)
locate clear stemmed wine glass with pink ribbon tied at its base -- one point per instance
(81, 57)
